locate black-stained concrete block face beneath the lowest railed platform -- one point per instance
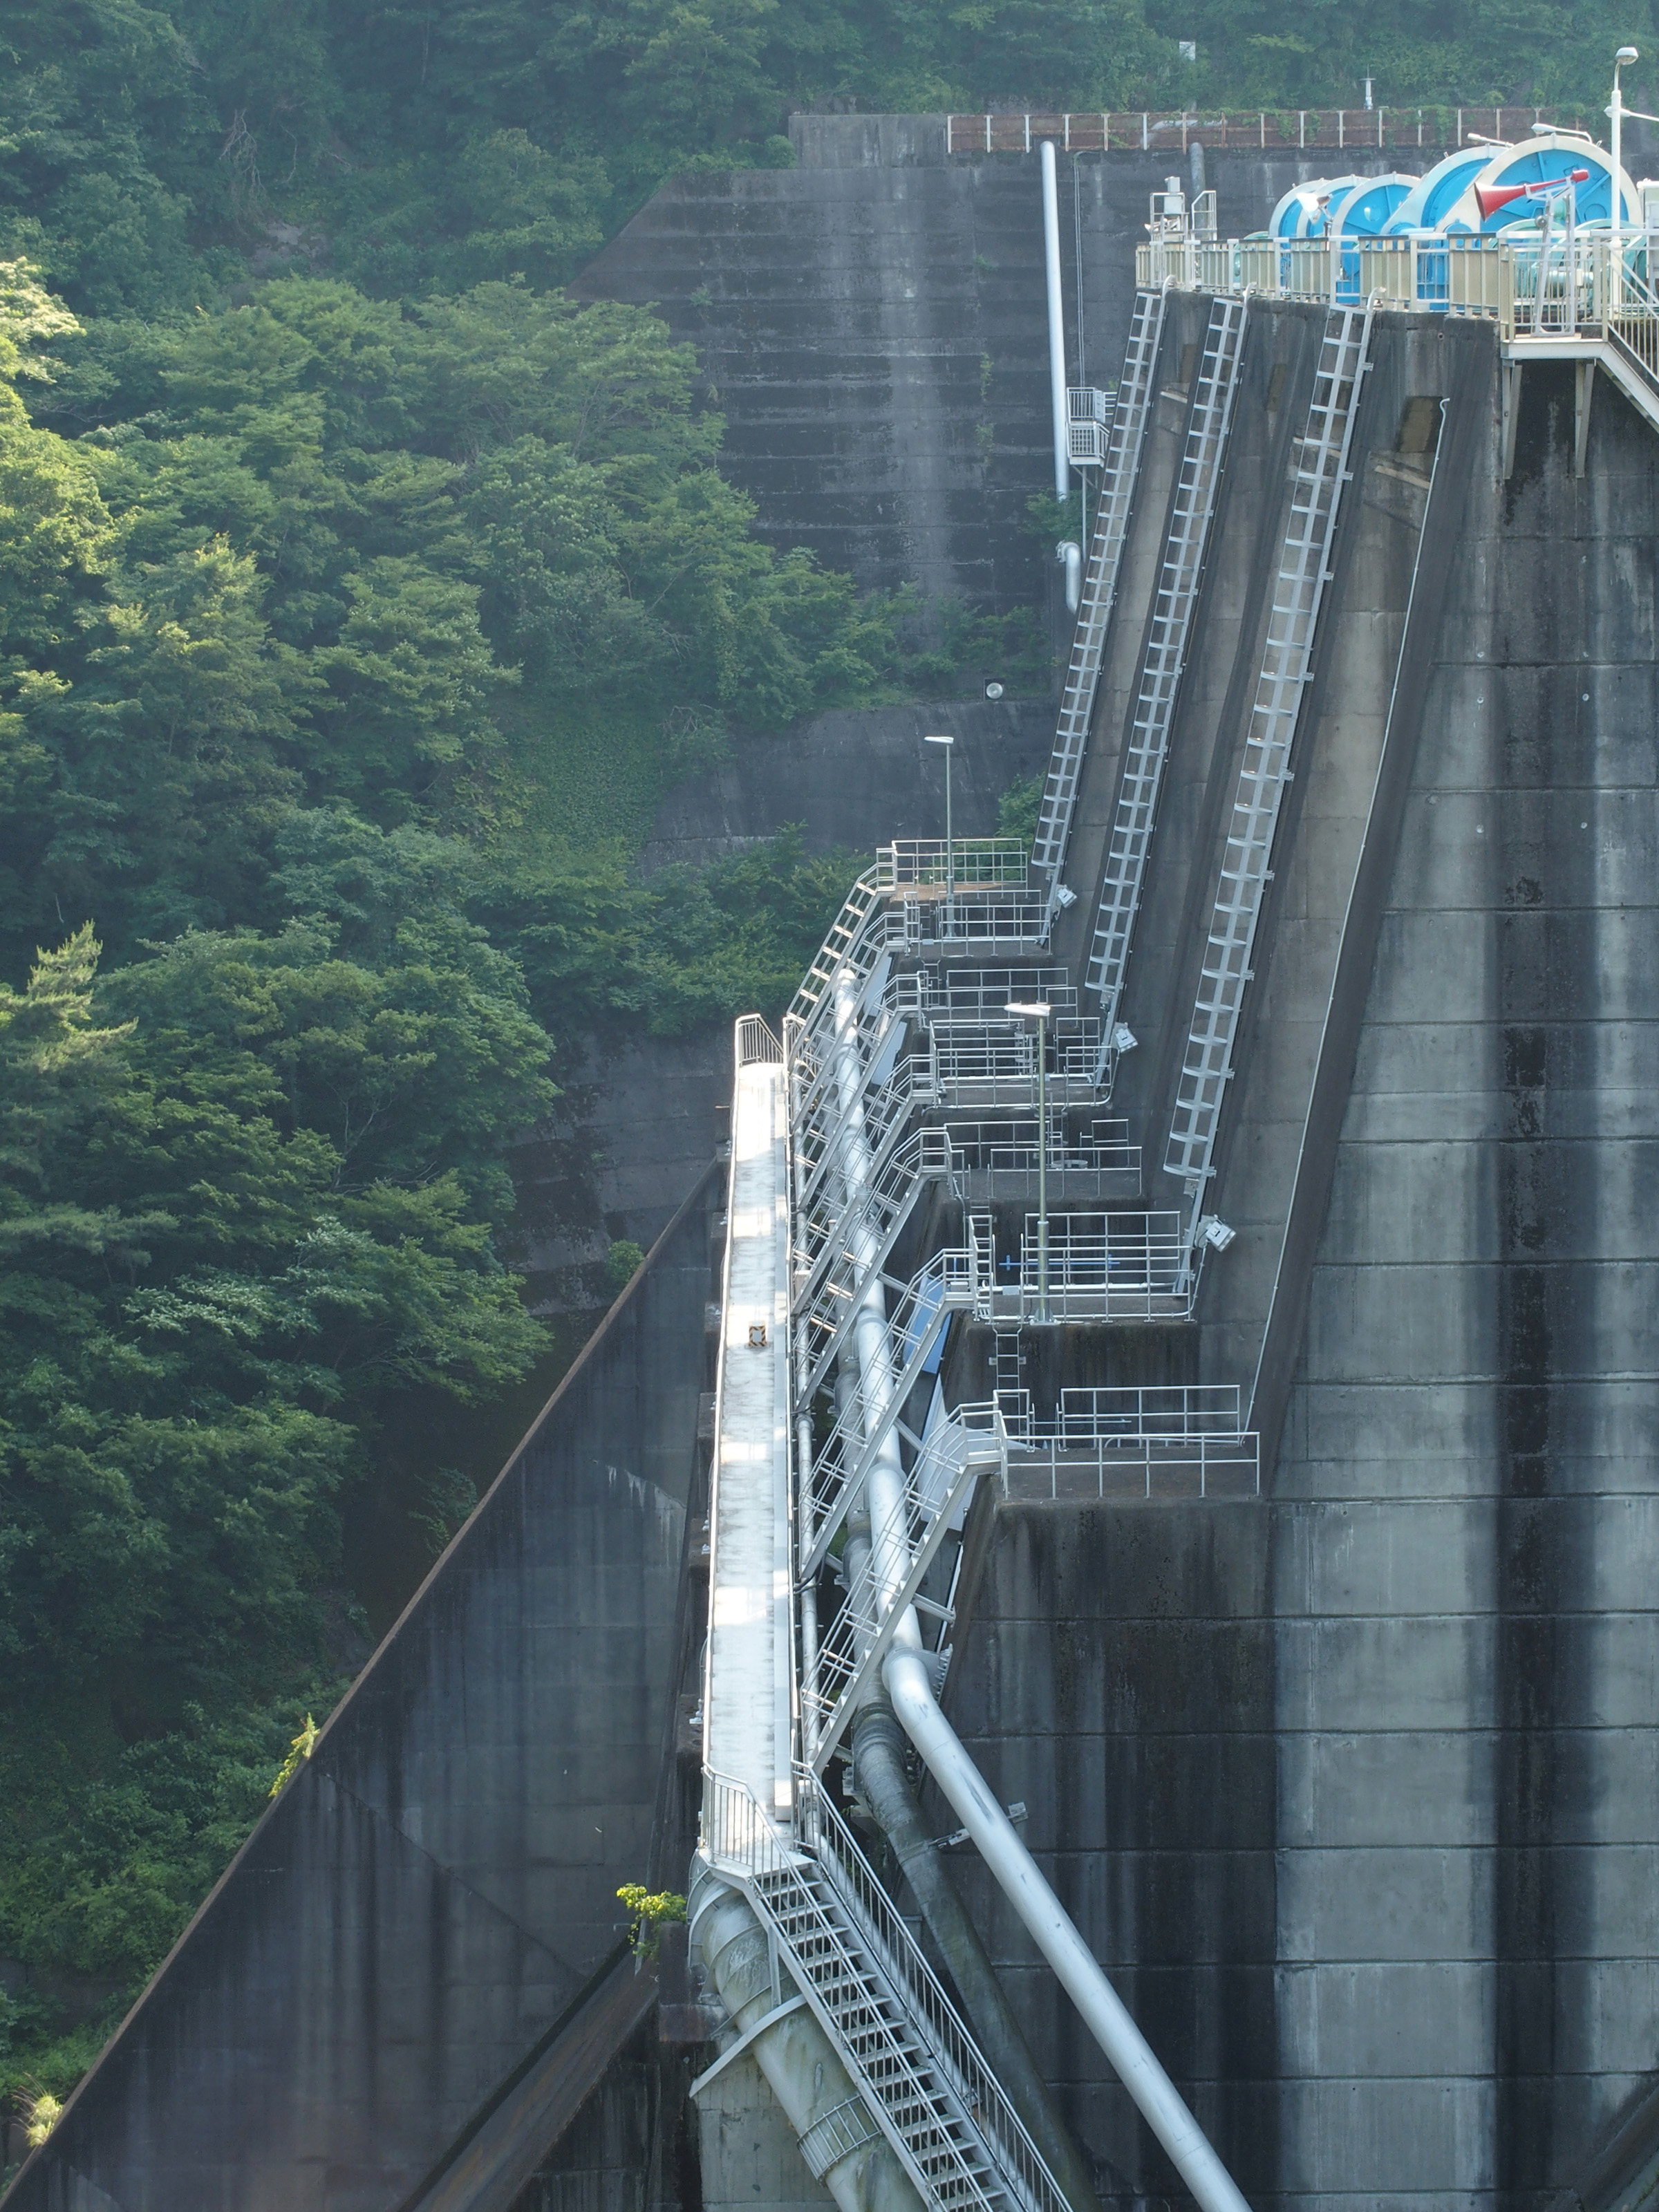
(1116, 1671)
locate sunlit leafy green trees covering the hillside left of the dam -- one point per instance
(309, 609)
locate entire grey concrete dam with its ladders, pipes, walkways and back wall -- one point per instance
(1288, 1572)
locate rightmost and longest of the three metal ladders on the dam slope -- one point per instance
(1286, 667)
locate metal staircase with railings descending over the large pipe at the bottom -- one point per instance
(921, 2076)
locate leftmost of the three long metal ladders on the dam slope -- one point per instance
(1118, 483)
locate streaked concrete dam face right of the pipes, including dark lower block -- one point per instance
(1357, 1788)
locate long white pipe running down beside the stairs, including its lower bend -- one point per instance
(941, 1749)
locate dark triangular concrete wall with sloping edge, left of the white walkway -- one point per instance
(437, 1886)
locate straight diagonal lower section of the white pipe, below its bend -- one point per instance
(1052, 1930)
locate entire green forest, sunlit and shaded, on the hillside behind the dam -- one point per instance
(359, 594)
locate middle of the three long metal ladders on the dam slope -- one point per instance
(1165, 658)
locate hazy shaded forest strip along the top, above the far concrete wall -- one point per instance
(152, 154)
